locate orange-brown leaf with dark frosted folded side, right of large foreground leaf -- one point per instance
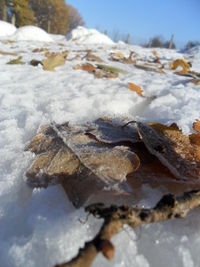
(173, 148)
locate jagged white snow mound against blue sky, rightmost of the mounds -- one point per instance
(83, 35)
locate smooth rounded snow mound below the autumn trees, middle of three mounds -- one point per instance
(31, 33)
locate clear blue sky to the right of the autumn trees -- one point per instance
(143, 19)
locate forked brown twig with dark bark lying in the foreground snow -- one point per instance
(115, 217)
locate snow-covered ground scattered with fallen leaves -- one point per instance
(40, 227)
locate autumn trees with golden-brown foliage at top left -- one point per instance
(54, 16)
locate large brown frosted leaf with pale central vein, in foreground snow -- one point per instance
(72, 156)
